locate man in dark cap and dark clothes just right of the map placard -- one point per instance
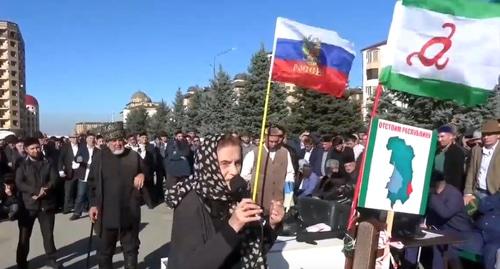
(450, 158)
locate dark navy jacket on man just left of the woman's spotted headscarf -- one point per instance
(178, 159)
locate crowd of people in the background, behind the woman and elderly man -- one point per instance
(464, 195)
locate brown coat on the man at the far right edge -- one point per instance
(493, 175)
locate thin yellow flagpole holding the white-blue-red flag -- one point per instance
(263, 127)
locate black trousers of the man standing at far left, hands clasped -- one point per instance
(25, 223)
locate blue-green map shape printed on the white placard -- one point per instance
(399, 186)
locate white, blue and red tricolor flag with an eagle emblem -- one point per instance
(311, 57)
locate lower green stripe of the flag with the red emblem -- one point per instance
(437, 89)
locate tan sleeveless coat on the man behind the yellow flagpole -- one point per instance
(273, 178)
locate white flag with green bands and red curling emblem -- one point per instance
(445, 49)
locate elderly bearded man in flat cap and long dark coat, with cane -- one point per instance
(115, 181)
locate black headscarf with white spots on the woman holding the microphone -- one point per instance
(207, 181)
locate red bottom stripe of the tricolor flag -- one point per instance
(319, 78)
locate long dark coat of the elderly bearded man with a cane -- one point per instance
(116, 172)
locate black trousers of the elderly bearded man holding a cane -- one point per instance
(129, 239)
